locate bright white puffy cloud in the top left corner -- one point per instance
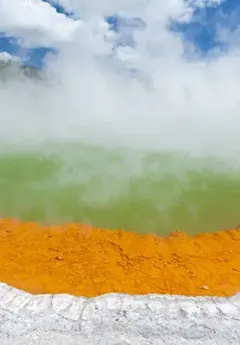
(34, 21)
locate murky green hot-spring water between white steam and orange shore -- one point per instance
(144, 192)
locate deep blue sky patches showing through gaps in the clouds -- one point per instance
(201, 31)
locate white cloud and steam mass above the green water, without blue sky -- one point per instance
(176, 104)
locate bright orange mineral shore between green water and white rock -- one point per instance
(87, 261)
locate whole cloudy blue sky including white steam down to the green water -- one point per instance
(162, 75)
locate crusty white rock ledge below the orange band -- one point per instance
(115, 319)
